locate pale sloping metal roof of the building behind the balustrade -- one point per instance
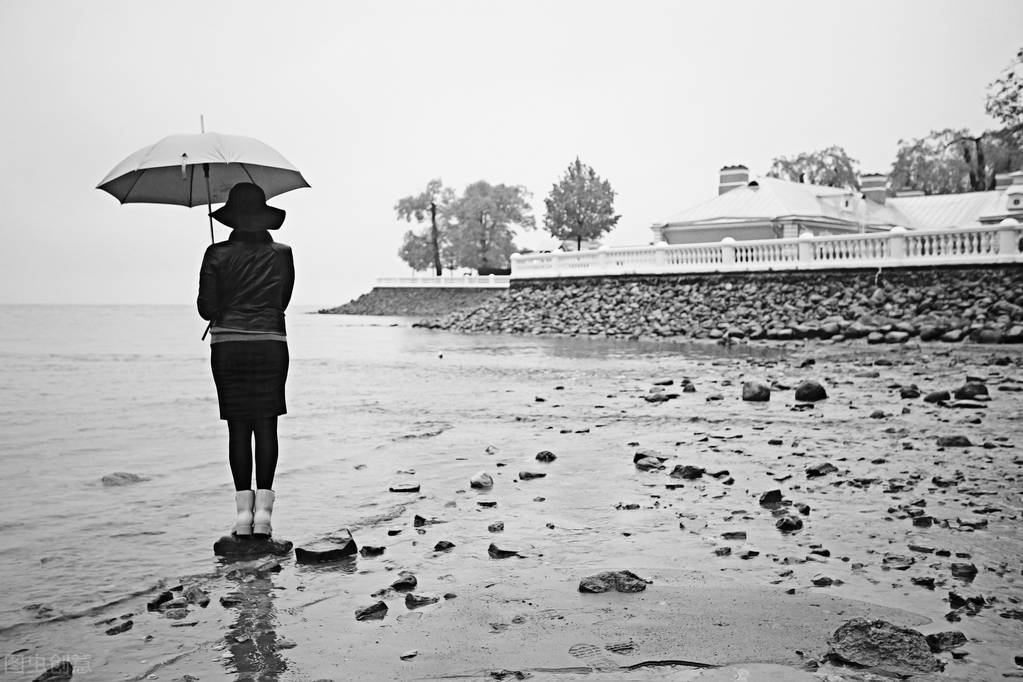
(774, 200)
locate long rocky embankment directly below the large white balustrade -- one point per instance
(984, 305)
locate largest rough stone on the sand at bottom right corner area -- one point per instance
(884, 647)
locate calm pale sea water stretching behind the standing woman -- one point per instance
(93, 391)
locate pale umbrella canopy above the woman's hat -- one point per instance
(173, 170)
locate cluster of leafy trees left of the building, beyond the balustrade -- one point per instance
(476, 230)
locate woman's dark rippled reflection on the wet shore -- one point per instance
(252, 641)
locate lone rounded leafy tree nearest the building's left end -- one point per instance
(581, 206)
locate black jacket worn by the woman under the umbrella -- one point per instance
(246, 283)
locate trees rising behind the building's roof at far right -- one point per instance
(945, 162)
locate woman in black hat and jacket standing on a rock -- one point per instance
(245, 287)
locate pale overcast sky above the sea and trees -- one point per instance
(373, 100)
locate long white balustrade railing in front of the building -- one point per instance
(898, 248)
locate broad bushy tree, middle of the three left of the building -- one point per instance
(483, 221)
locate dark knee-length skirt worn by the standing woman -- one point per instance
(250, 379)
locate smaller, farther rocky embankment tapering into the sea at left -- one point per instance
(421, 301)
